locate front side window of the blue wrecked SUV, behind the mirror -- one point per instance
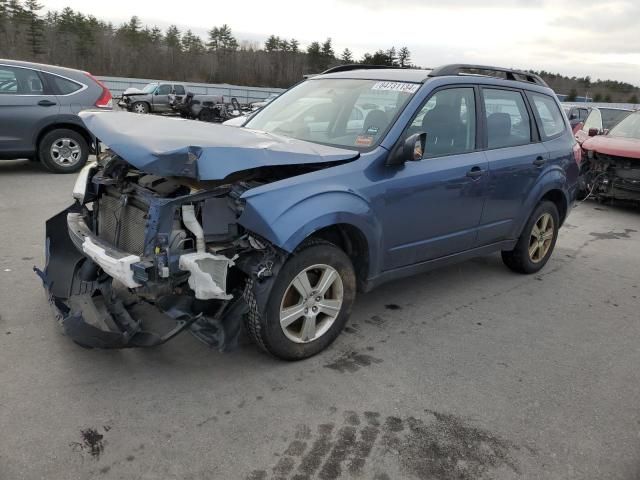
(449, 120)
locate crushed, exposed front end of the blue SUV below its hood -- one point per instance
(131, 238)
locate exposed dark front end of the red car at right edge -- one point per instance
(611, 177)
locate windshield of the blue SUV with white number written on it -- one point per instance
(341, 112)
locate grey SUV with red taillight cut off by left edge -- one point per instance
(39, 106)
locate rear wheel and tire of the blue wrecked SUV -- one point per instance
(537, 241)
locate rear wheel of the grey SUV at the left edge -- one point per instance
(63, 151)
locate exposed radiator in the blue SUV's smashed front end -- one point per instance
(131, 220)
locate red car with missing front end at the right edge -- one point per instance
(611, 169)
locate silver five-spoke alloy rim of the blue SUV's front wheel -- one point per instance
(311, 303)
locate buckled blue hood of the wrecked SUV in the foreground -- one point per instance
(204, 151)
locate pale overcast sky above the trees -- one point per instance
(600, 38)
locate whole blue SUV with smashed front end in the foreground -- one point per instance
(278, 224)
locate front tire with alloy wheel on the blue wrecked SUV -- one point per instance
(309, 304)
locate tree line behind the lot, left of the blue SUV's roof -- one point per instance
(131, 49)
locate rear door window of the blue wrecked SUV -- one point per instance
(508, 122)
